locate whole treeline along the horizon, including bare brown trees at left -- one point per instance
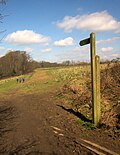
(19, 62)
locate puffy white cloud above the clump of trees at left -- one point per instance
(26, 37)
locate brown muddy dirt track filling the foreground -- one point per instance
(39, 125)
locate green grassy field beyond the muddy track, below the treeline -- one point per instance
(59, 76)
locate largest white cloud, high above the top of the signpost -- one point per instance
(97, 22)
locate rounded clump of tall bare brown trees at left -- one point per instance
(16, 63)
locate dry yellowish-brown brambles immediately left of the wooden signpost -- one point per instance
(75, 88)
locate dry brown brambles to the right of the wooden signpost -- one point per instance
(110, 92)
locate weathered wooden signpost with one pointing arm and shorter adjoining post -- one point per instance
(95, 78)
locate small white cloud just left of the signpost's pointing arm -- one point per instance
(65, 42)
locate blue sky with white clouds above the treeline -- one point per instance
(50, 30)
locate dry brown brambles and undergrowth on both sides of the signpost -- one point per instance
(76, 91)
